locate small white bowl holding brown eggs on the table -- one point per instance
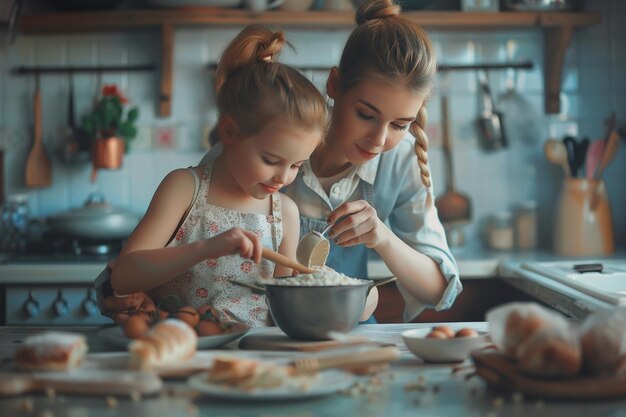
(455, 349)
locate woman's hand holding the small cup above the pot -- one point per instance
(361, 225)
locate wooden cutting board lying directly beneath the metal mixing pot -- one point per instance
(274, 339)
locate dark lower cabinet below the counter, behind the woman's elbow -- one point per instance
(478, 296)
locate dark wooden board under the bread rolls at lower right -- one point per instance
(503, 374)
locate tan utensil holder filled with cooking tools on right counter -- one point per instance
(583, 227)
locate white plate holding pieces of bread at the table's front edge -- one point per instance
(328, 382)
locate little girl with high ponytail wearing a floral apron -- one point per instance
(205, 227)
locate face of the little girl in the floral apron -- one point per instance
(266, 161)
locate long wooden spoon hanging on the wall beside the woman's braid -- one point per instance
(452, 205)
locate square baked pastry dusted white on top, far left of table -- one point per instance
(51, 351)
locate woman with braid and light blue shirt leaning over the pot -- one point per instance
(367, 169)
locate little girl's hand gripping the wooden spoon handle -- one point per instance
(237, 241)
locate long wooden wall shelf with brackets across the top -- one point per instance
(557, 29)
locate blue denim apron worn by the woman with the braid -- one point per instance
(351, 261)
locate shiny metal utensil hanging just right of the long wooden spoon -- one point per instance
(490, 122)
